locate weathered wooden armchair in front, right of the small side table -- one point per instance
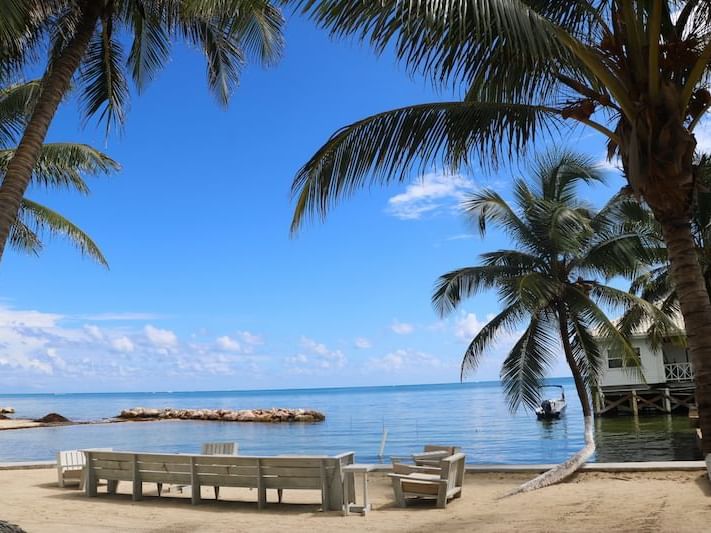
(440, 483)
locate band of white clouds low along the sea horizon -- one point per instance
(52, 352)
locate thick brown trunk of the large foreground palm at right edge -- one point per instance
(696, 309)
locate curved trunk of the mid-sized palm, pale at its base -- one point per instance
(573, 464)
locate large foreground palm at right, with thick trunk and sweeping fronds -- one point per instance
(635, 71)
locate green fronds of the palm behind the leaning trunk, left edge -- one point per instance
(59, 166)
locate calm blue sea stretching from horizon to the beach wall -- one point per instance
(471, 415)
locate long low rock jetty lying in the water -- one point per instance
(224, 415)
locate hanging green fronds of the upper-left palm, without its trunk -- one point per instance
(227, 32)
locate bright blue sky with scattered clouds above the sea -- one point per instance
(206, 289)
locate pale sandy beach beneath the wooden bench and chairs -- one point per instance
(591, 501)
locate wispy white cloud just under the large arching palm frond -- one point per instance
(431, 193)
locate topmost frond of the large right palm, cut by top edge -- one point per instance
(451, 38)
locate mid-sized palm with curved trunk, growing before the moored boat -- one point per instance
(549, 280)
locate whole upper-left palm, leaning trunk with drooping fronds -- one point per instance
(84, 39)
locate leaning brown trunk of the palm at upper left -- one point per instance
(54, 86)
